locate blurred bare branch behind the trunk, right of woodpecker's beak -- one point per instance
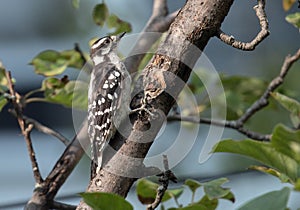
(158, 22)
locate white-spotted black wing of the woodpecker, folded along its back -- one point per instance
(104, 107)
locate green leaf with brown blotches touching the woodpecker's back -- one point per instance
(65, 92)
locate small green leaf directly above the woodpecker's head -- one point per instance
(119, 25)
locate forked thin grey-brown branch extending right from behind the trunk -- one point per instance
(256, 106)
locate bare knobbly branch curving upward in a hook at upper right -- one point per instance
(264, 32)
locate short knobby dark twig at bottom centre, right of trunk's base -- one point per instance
(166, 176)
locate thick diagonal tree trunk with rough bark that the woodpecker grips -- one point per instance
(196, 23)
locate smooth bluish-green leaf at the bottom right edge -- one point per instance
(275, 200)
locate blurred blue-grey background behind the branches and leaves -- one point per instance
(27, 28)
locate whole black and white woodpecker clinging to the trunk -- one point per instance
(108, 97)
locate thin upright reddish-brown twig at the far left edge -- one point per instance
(26, 130)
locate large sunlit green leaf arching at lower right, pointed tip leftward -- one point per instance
(263, 152)
